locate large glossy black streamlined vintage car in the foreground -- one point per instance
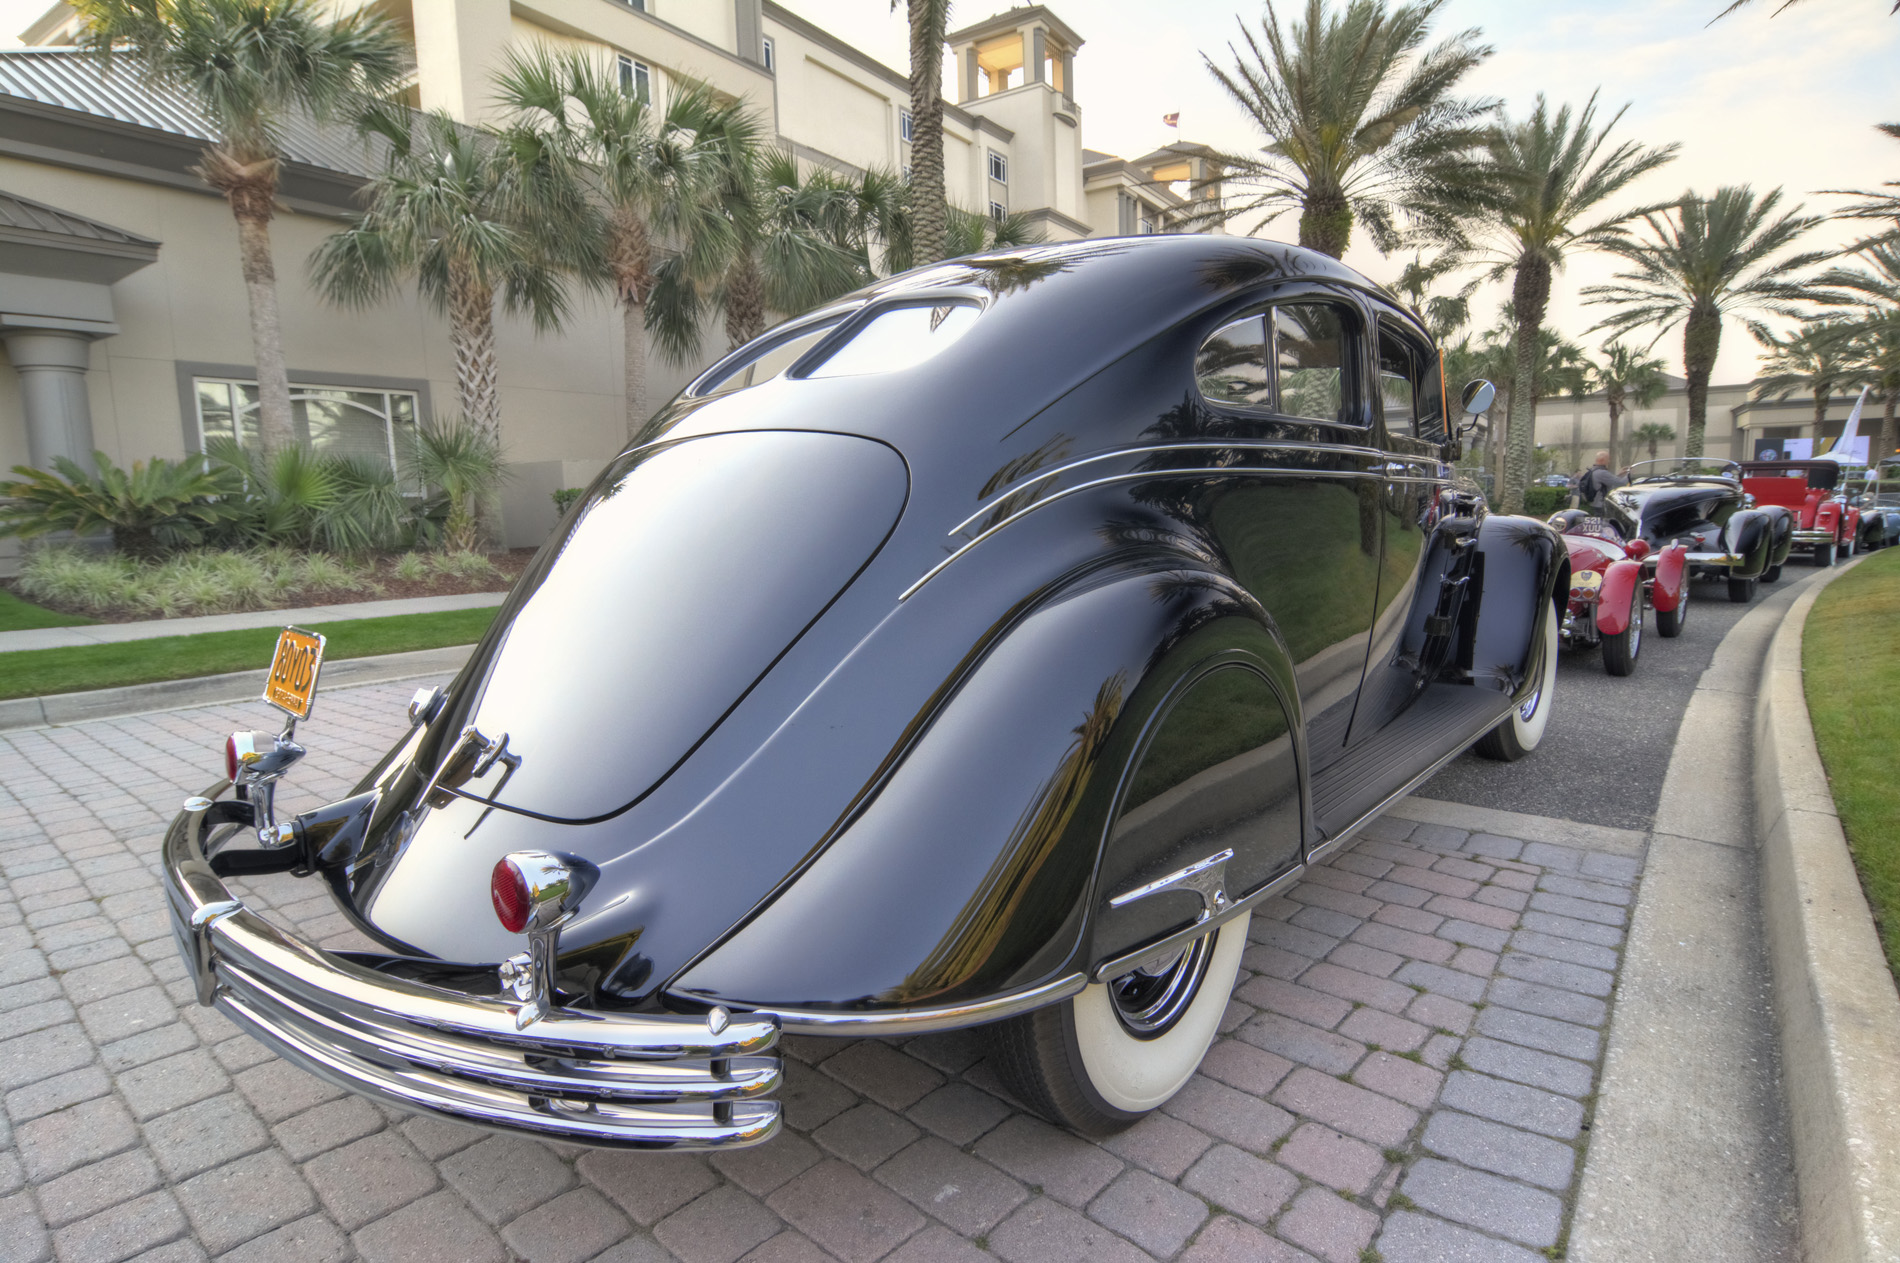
(978, 650)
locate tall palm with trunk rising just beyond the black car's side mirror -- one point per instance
(1540, 191)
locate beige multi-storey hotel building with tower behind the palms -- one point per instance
(123, 312)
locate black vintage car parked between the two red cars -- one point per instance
(1700, 502)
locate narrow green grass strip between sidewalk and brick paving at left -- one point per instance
(37, 673)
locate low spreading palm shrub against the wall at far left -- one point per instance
(151, 508)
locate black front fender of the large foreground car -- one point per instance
(1525, 565)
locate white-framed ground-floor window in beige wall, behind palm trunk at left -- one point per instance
(330, 421)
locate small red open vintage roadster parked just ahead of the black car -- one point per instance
(1614, 578)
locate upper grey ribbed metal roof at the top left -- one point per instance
(73, 81)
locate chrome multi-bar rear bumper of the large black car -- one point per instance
(603, 1080)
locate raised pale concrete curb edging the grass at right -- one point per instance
(1834, 998)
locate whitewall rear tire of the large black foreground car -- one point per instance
(1084, 1066)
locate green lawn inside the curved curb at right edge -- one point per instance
(1852, 658)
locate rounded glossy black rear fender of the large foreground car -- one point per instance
(940, 895)
